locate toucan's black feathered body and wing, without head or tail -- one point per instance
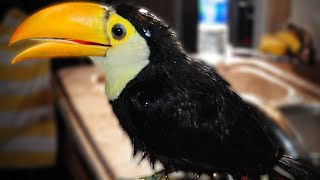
(192, 115)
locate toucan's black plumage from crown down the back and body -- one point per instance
(182, 113)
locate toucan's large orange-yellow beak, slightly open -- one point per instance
(64, 30)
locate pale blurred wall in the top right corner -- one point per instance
(306, 13)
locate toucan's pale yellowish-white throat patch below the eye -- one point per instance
(122, 64)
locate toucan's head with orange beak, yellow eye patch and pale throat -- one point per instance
(121, 39)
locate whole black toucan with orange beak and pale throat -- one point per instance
(176, 110)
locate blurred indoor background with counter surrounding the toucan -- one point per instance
(55, 119)
